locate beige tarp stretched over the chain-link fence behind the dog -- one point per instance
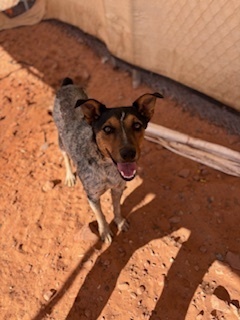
(196, 43)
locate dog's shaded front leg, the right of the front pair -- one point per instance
(121, 222)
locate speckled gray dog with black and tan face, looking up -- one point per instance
(103, 143)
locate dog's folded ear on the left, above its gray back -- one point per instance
(91, 108)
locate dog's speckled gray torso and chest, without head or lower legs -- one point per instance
(76, 138)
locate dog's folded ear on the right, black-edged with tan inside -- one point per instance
(146, 103)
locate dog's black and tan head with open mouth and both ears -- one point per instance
(119, 131)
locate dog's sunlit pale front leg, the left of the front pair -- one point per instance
(105, 232)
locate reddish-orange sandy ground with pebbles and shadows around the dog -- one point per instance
(180, 258)
